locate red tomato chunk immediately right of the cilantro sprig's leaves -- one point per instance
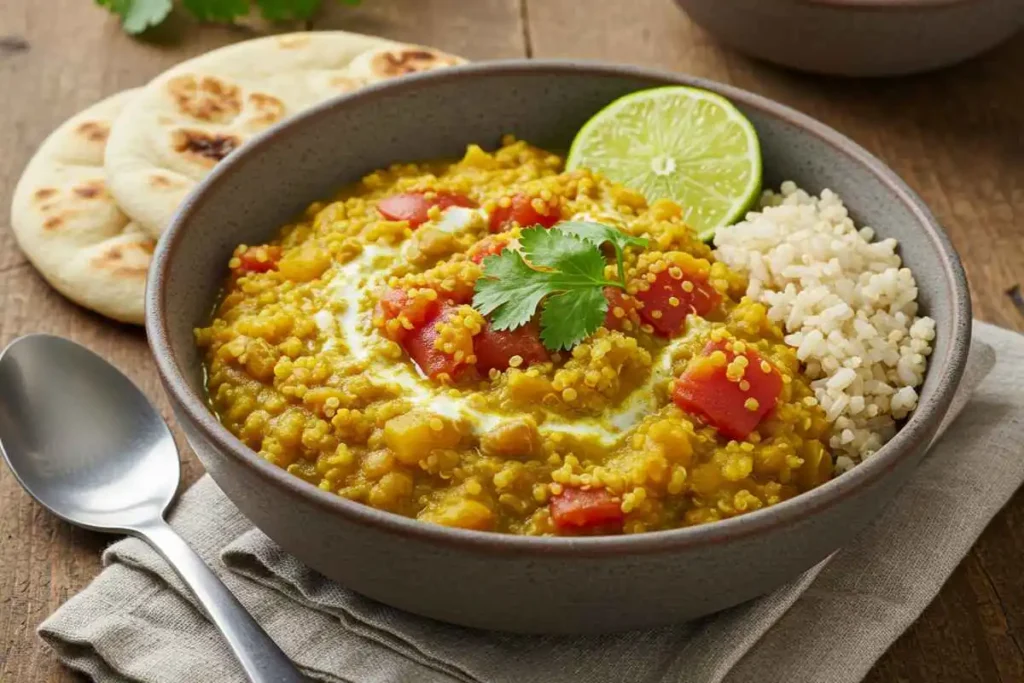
(670, 301)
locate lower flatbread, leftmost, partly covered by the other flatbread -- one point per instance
(69, 227)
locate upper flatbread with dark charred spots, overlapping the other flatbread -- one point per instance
(194, 115)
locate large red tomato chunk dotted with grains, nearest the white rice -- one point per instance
(735, 409)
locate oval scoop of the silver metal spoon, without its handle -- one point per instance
(108, 471)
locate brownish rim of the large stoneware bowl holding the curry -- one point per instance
(922, 424)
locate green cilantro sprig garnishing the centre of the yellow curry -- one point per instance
(561, 271)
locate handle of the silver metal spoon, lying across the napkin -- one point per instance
(263, 661)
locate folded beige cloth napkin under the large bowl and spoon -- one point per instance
(137, 623)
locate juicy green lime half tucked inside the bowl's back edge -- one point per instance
(676, 143)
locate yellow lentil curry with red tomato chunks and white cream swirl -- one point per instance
(349, 352)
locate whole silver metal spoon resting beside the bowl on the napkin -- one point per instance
(89, 446)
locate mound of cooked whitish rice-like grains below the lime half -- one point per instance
(849, 309)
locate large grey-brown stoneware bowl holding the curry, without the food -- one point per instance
(547, 585)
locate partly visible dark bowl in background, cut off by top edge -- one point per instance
(860, 37)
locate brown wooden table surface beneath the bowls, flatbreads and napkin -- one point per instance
(957, 137)
